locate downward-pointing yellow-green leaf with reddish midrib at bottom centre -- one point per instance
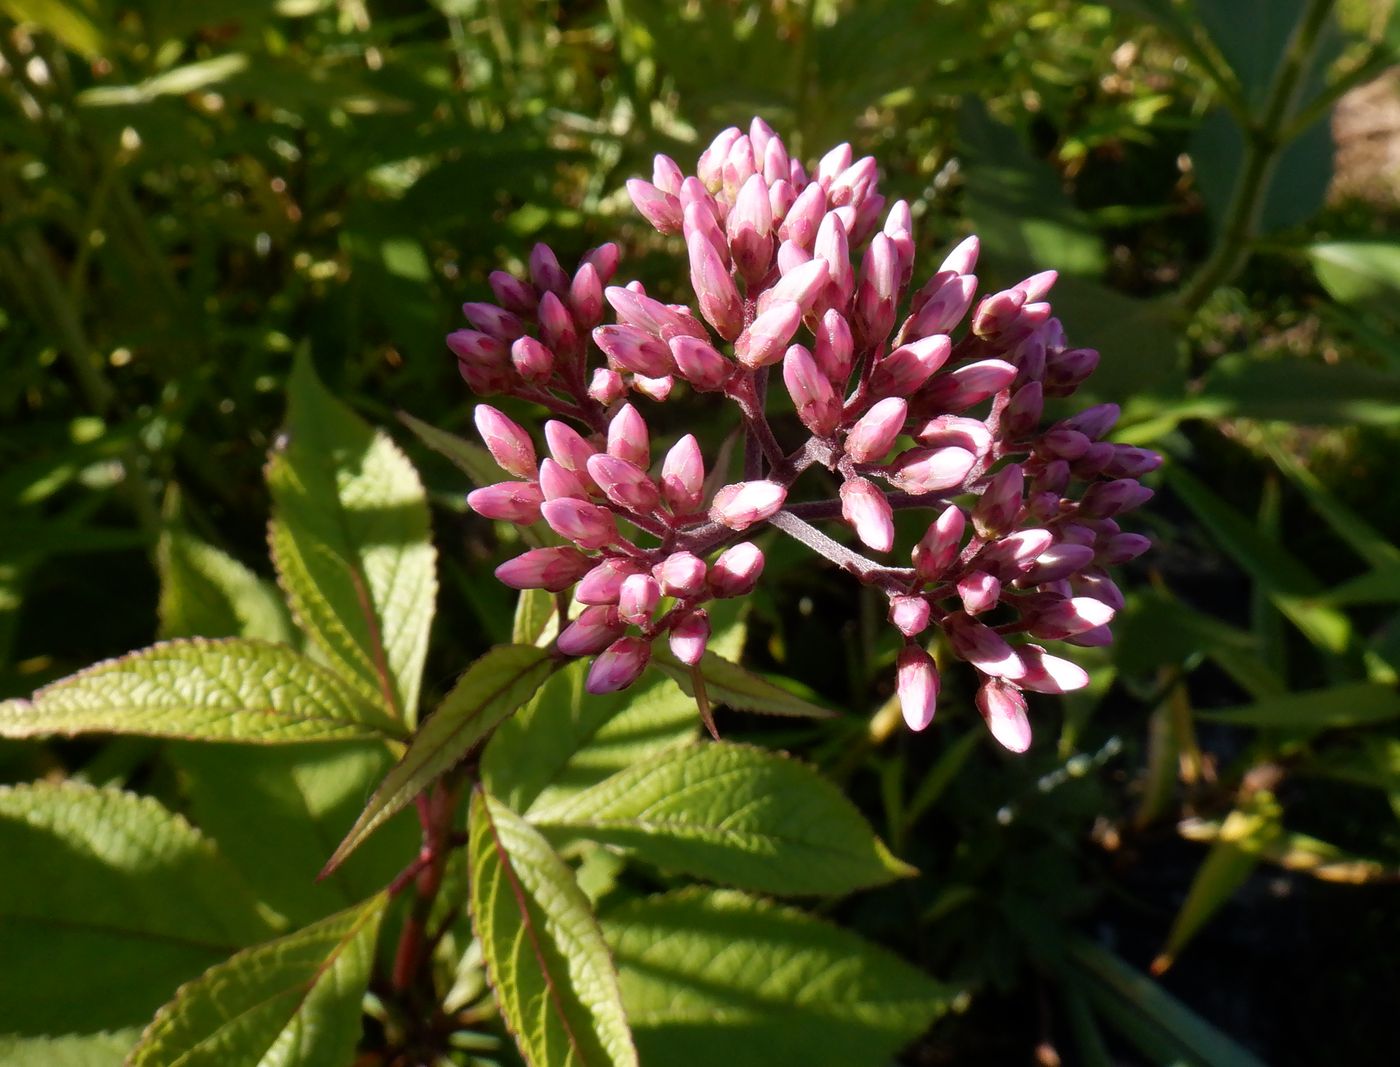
(555, 982)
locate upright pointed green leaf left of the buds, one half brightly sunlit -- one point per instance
(351, 543)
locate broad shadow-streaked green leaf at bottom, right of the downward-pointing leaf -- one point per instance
(722, 978)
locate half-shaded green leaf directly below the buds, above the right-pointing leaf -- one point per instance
(568, 740)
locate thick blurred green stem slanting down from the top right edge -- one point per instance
(1265, 142)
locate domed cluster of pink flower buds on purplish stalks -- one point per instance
(912, 398)
